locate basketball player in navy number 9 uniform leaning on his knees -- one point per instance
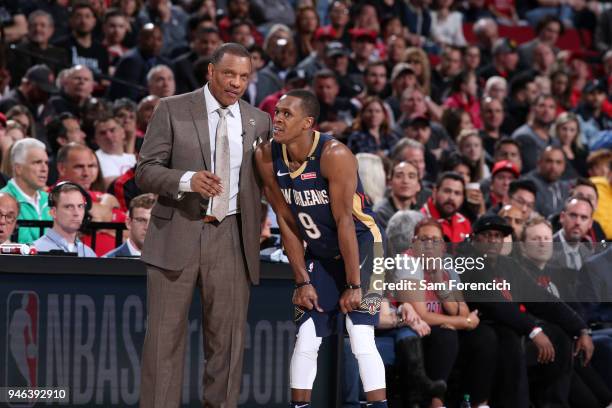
(311, 181)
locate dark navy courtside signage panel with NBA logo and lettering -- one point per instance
(85, 334)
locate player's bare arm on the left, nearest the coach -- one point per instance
(294, 246)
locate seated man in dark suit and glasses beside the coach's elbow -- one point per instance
(136, 222)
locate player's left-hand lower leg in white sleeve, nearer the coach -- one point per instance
(303, 368)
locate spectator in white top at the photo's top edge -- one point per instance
(447, 25)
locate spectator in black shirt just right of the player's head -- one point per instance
(337, 113)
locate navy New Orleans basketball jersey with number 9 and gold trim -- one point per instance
(307, 194)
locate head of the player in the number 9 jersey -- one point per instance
(296, 113)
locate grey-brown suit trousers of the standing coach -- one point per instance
(219, 268)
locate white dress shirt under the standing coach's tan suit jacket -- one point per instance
(234, 131)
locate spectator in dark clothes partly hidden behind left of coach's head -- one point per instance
(203, 42)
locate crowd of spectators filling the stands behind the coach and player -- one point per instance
(482, 119)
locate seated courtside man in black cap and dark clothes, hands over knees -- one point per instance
(536, 338)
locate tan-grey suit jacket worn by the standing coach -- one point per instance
(177, 140)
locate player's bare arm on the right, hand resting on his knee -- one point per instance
(339, 167)
